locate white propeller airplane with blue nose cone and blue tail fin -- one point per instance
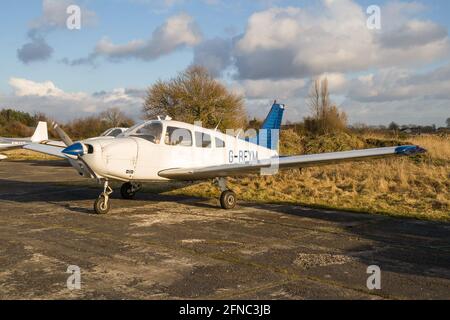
(164, 149)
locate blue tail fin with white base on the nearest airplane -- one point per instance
(269, 134)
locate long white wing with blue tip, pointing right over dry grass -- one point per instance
(302, 161)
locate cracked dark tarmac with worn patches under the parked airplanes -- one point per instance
(173, 247)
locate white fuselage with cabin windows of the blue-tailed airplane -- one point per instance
(139, 156)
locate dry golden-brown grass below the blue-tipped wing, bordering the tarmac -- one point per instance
(403, 187)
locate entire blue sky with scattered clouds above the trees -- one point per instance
(398, 70)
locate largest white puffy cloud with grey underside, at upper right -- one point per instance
(292, 42)
